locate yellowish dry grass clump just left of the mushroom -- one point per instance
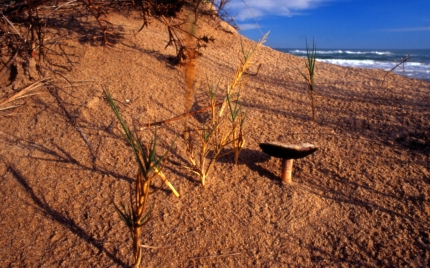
(220, 128)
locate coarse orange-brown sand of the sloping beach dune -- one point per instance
(361, 200)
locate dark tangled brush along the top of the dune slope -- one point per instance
(28, 28)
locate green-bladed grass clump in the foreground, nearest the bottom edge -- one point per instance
(136, 214)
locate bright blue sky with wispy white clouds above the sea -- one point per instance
(359, 24)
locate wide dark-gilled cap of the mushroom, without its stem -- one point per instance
(288, 151)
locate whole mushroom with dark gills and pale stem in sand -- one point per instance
(287, 153)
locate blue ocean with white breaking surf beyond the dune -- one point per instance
(417, 65)
